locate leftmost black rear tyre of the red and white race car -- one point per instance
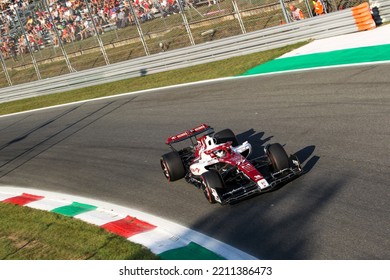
(172, 166)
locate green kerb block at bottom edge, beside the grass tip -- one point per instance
(192, 251)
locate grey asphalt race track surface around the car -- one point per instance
(336, 121)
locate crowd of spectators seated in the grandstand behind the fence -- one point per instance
(70, 19)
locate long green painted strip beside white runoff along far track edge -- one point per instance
(341, 57)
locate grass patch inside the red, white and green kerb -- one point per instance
(31, 234)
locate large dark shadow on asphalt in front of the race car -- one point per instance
(277, 225)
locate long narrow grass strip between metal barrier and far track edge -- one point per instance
(224, 68)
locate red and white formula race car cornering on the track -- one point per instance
(222, 168)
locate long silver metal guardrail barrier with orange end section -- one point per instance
(338, 23)
